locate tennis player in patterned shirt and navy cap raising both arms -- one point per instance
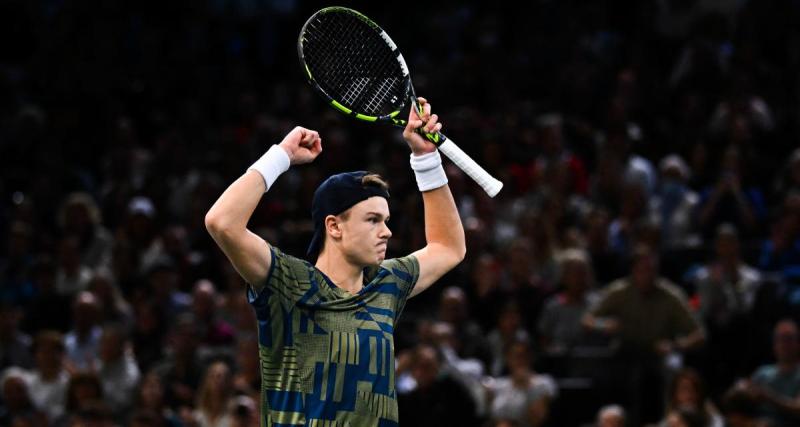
(326, 329)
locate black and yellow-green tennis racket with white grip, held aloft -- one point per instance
(358, 69)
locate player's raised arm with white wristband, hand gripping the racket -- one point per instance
(444, 233)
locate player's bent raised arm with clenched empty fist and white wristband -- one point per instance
(227, 219)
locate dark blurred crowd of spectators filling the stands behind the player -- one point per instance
(640, 267)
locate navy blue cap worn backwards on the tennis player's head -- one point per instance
(334, 196)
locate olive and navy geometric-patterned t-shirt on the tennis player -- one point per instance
(327, 356)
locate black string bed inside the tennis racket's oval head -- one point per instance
(353, 64)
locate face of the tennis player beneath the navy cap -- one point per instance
(362, 233)
